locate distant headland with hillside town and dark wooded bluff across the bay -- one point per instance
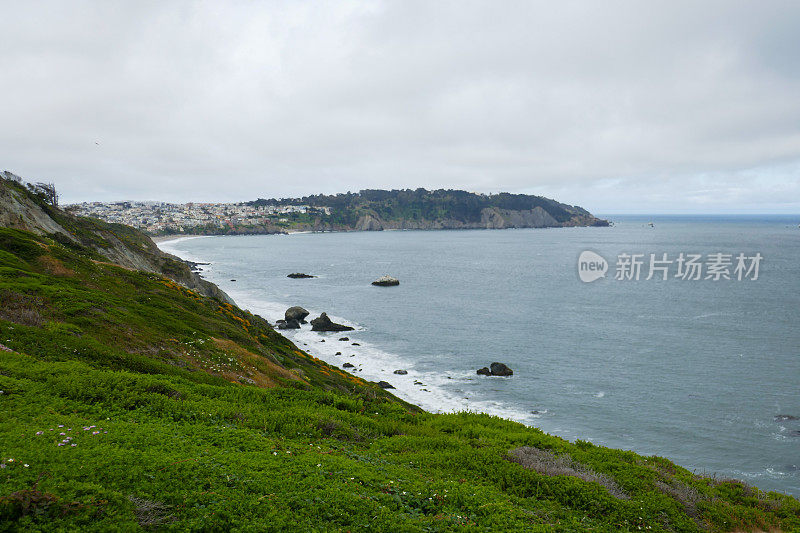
(367, 210)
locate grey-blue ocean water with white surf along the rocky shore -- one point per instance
(695, 371)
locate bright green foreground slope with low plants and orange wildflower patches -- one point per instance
(187, 413)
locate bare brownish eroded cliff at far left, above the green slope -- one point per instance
(121, 245)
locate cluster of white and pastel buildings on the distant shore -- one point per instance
(158, 217)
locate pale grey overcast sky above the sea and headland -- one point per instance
(616, 106)
